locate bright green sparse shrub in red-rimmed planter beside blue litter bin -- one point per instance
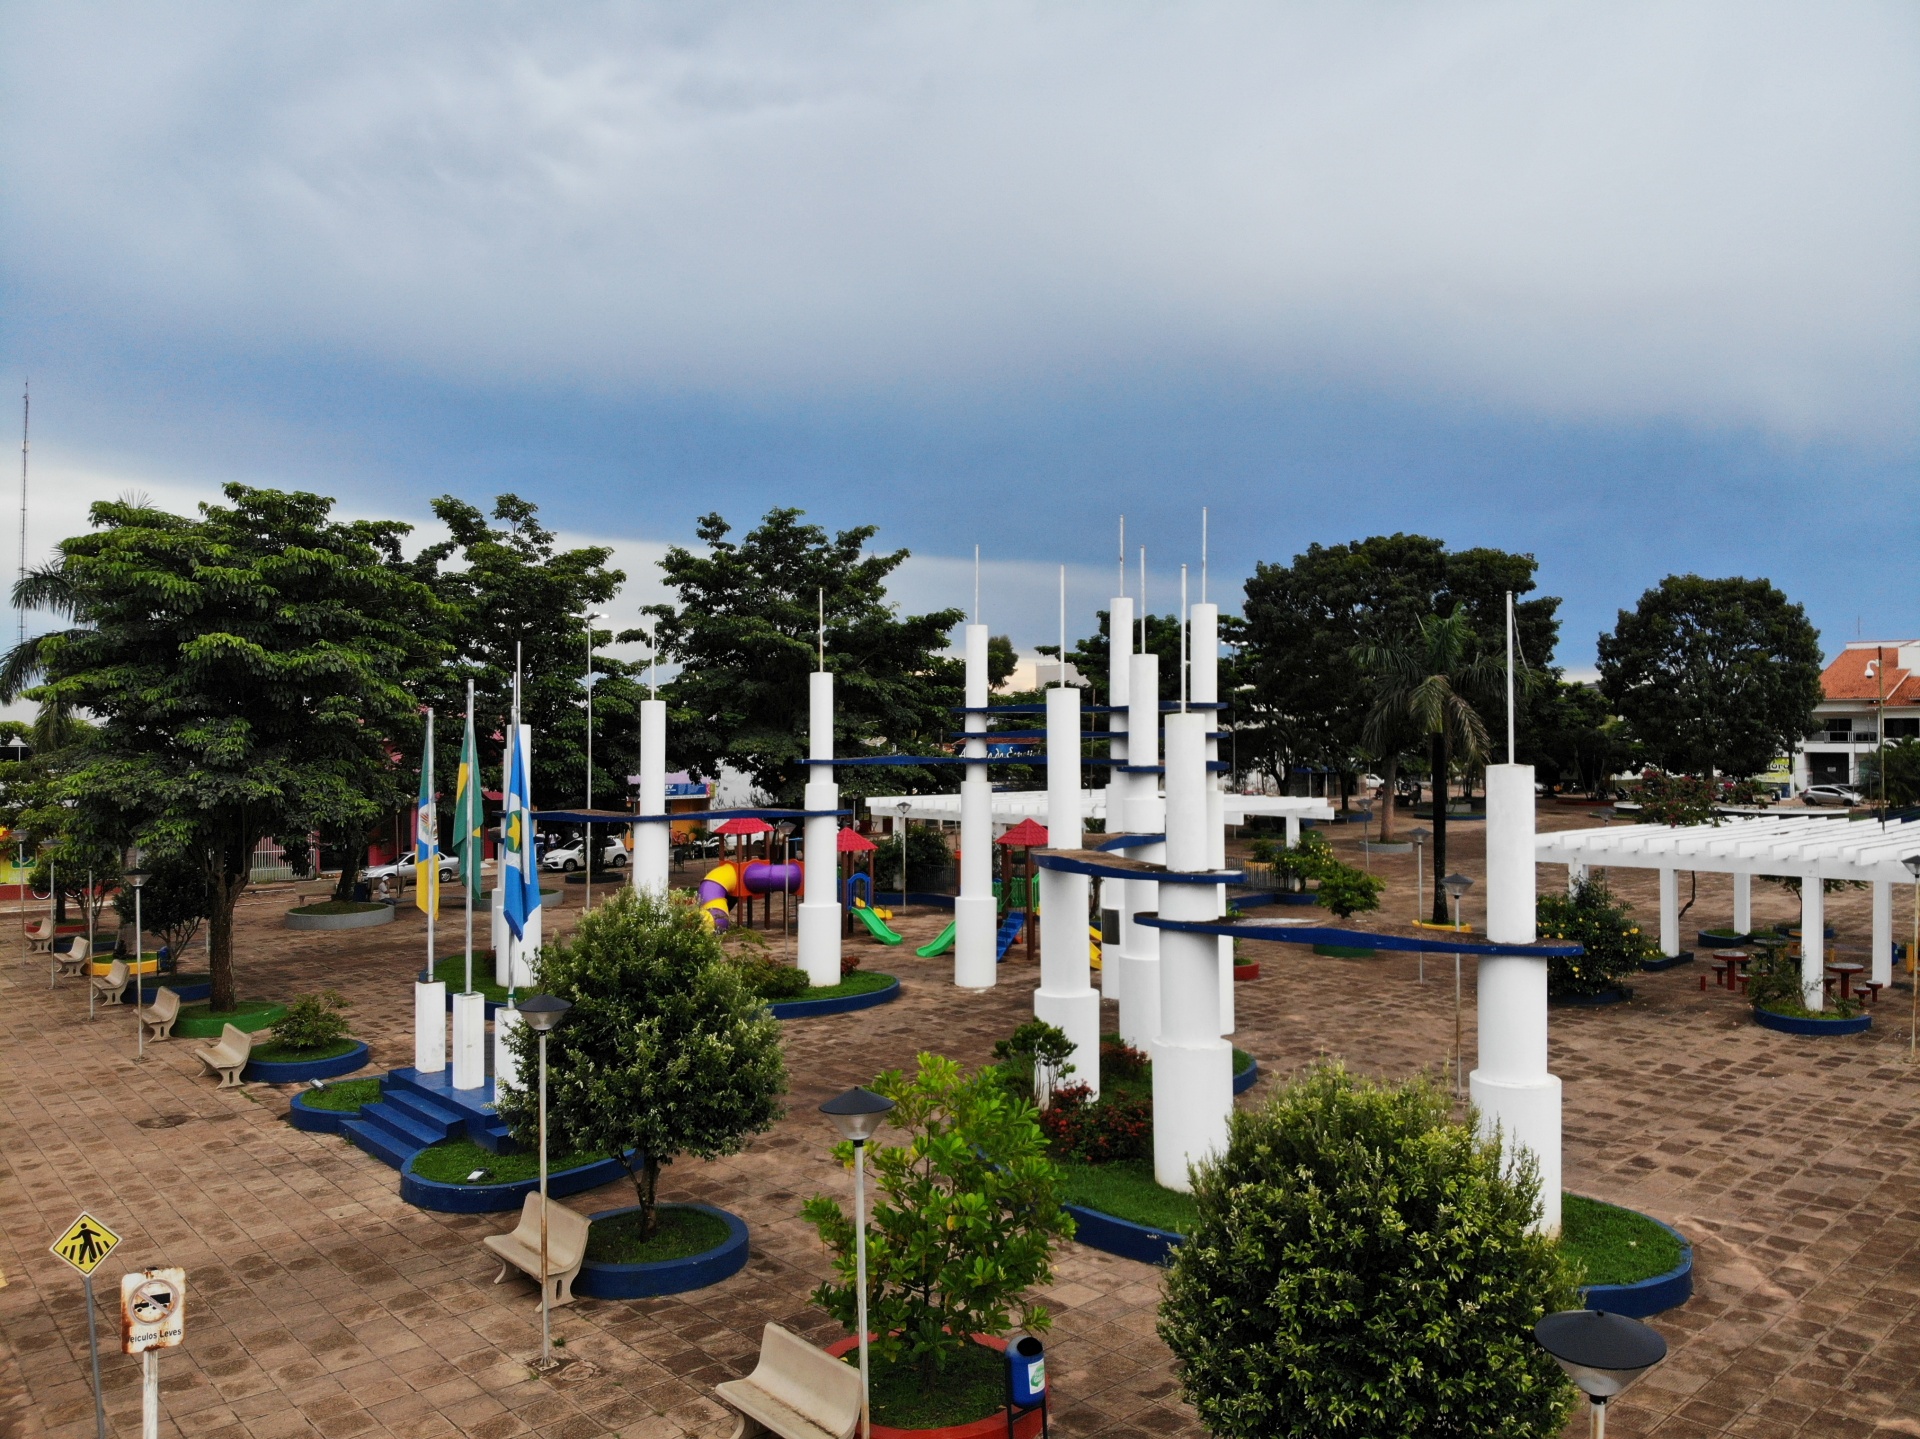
(965, 1227)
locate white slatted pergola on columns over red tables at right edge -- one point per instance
(1806, 846)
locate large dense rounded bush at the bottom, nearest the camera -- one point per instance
(1364, 1265)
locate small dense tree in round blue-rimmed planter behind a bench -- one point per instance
(665, 1050)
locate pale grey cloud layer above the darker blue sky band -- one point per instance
(1648, 210)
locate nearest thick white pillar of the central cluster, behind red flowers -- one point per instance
(1193, 1065)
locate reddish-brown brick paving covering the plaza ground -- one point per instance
(320, 1304)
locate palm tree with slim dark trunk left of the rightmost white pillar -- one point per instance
(1428, 687)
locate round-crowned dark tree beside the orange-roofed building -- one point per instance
(1714, 677)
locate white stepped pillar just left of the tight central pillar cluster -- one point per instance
(1067, 1000)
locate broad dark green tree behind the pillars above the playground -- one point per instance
(746, 635)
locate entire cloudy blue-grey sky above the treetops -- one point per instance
(1629, 287)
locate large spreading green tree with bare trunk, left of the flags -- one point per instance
(245, 670)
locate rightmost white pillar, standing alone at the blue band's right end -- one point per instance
(1512, 1086)
